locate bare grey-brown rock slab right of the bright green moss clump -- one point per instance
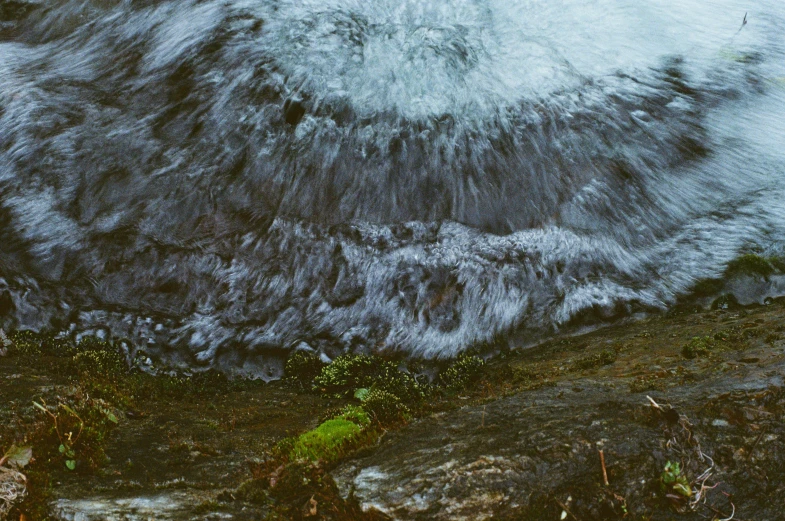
(516, 457)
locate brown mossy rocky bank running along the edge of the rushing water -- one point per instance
(519, 438)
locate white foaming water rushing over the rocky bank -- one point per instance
(223, 181)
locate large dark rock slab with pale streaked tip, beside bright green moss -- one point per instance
(530, 455)
